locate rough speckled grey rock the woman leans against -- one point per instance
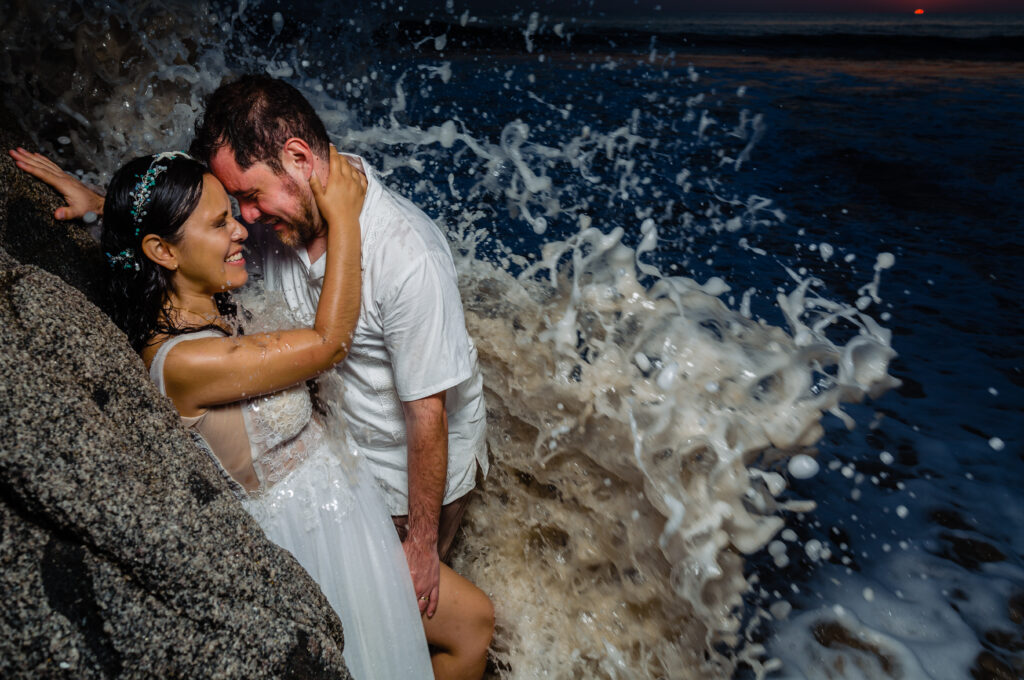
(123, 555)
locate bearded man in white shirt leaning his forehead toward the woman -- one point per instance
(413, 393)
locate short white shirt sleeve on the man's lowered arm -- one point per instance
(425, 329)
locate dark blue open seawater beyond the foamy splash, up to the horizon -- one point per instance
(868, 148)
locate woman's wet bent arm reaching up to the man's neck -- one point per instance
(211, 371)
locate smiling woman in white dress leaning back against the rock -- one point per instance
(176, 251)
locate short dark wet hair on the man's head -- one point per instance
(254, 116)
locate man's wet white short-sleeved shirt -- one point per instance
(410, 343)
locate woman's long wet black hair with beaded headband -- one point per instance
(150, 195)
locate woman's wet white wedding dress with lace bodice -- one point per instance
(316, 501)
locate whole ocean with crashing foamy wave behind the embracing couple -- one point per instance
(745, 290)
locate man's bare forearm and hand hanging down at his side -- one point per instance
(426, 434)
